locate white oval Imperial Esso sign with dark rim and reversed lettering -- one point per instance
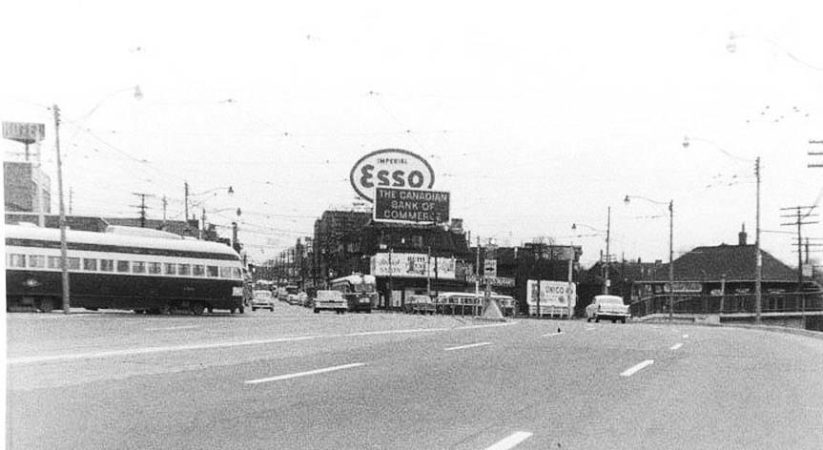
(390, 168)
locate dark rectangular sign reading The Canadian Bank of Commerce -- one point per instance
(410, 205)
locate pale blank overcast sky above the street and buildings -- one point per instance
(533, 116)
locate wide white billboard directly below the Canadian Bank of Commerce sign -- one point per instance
(412, 265)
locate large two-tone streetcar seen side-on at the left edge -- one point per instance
(126, 270)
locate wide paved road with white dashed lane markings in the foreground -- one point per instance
(293, 379)
